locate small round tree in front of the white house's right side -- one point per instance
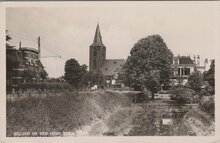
(195, 81)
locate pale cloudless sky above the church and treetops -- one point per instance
(188, 28)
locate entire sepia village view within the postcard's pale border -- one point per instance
(92, 69)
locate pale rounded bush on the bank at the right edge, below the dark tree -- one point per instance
(207, 104)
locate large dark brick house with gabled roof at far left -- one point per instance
(23, 65)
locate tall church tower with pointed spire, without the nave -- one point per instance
(97, 52)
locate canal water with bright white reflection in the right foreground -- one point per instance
(159, 121)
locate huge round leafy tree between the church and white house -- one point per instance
(149, 64)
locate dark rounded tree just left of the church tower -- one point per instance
(73, 72)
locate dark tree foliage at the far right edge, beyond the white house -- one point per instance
(209, 76)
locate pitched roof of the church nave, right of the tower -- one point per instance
(112, 66)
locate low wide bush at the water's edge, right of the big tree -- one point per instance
(182, 94)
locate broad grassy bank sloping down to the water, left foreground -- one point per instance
(66, 113)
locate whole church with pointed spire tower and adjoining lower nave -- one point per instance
(98, 62)
